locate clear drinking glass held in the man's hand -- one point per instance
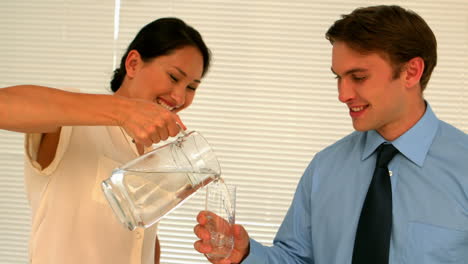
(221, 202)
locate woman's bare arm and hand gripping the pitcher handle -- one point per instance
(30, 108)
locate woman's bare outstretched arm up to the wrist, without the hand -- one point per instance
(29, 108)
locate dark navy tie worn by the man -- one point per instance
(372, 243)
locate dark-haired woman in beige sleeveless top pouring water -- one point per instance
(74, 140)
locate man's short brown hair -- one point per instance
(397, 33)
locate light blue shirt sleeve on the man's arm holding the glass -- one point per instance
(293, 242)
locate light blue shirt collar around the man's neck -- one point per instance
(413, 144)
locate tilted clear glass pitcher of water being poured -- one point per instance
(149, 187)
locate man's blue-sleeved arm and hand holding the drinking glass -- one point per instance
(292, 244)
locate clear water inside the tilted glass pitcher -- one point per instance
(155, 194)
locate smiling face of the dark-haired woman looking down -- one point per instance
(169, 80)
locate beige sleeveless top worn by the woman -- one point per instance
(71, 220)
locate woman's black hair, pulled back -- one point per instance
(159, 38)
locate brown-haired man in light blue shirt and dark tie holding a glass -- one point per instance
(343, 211)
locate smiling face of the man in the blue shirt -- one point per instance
(366, 85)
